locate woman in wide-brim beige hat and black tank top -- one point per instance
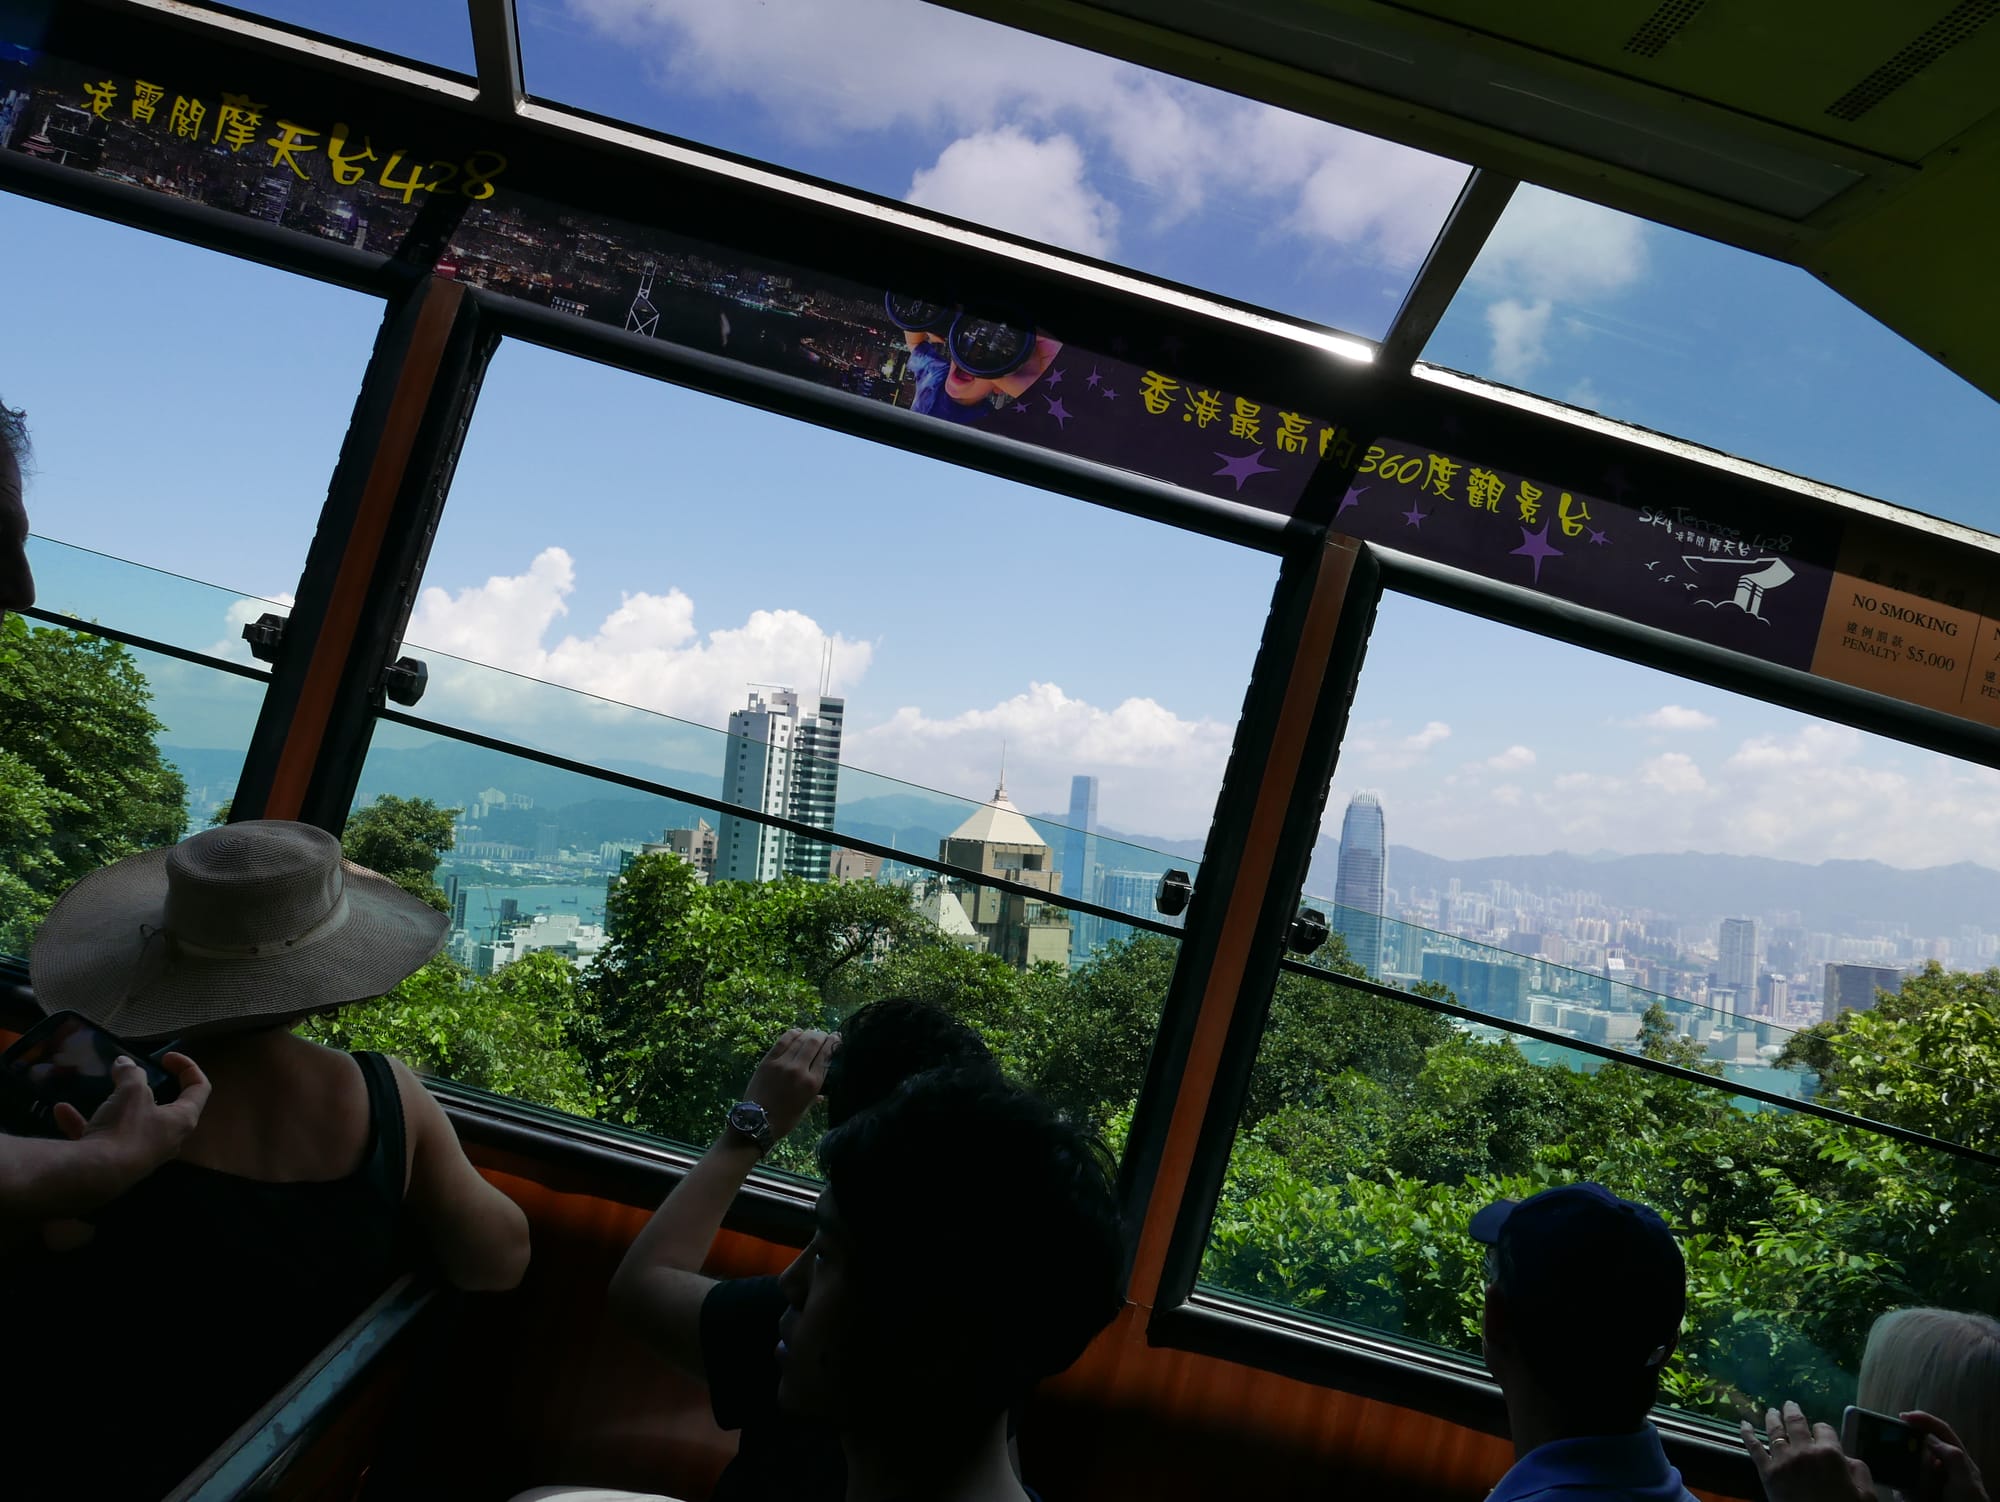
(311, 1179)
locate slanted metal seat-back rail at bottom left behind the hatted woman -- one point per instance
(257, 1457)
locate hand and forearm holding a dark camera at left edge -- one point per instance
(125, 1139)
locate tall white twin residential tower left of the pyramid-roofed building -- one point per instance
(785, 761)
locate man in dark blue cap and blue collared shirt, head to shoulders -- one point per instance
(1585, 1295)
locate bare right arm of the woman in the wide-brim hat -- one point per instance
(475, 1231)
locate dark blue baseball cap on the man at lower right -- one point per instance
(1581, 1247)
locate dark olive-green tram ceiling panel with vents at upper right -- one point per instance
(1857, 141)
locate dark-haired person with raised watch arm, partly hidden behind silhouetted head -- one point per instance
(727, 1331)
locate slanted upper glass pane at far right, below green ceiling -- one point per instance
(1709, 343)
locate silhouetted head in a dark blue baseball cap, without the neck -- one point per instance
(1585, 1295)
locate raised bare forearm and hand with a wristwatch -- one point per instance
(659, 1287)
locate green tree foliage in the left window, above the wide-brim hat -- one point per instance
(81, 779)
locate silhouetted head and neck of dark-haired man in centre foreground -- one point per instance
(967, 1249)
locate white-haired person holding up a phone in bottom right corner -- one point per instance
(1937, 1371)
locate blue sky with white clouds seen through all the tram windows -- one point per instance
(661, 547)
